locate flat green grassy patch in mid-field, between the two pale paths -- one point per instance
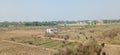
(44, 42)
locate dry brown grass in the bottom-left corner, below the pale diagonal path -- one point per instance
(11, 48)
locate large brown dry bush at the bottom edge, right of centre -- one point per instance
(82, 49)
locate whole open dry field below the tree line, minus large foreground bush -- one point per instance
(34, 41)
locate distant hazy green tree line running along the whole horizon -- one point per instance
(49, 23)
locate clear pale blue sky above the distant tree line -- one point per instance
(58, 10)
